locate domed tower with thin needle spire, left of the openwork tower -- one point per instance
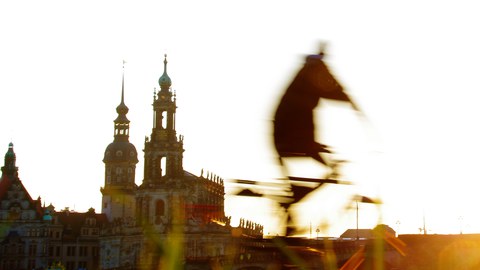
(118, 200)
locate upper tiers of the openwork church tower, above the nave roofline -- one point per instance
(164, 151)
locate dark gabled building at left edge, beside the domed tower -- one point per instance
(33, 236)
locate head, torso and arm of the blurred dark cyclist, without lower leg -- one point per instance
(294, 128)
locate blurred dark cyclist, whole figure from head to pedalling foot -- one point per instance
(294, 127)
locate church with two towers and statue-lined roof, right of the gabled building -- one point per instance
(173, 219)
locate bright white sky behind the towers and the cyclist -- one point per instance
(413, 68)
